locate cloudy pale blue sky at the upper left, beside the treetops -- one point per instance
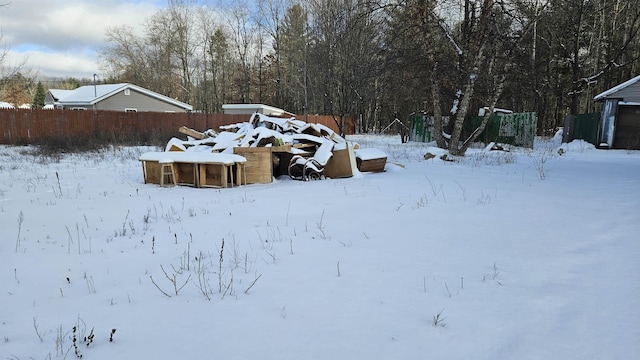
(62, 38)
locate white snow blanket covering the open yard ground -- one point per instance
(526, 254)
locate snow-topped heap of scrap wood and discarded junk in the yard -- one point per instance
(279, 146)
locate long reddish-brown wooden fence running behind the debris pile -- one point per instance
(24, 126)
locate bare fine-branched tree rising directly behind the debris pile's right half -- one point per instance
(345, 55)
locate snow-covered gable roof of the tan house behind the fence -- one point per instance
(92, 94)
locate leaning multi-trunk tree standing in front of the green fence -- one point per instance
(486, 44)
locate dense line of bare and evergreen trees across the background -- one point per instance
(379, 60)
